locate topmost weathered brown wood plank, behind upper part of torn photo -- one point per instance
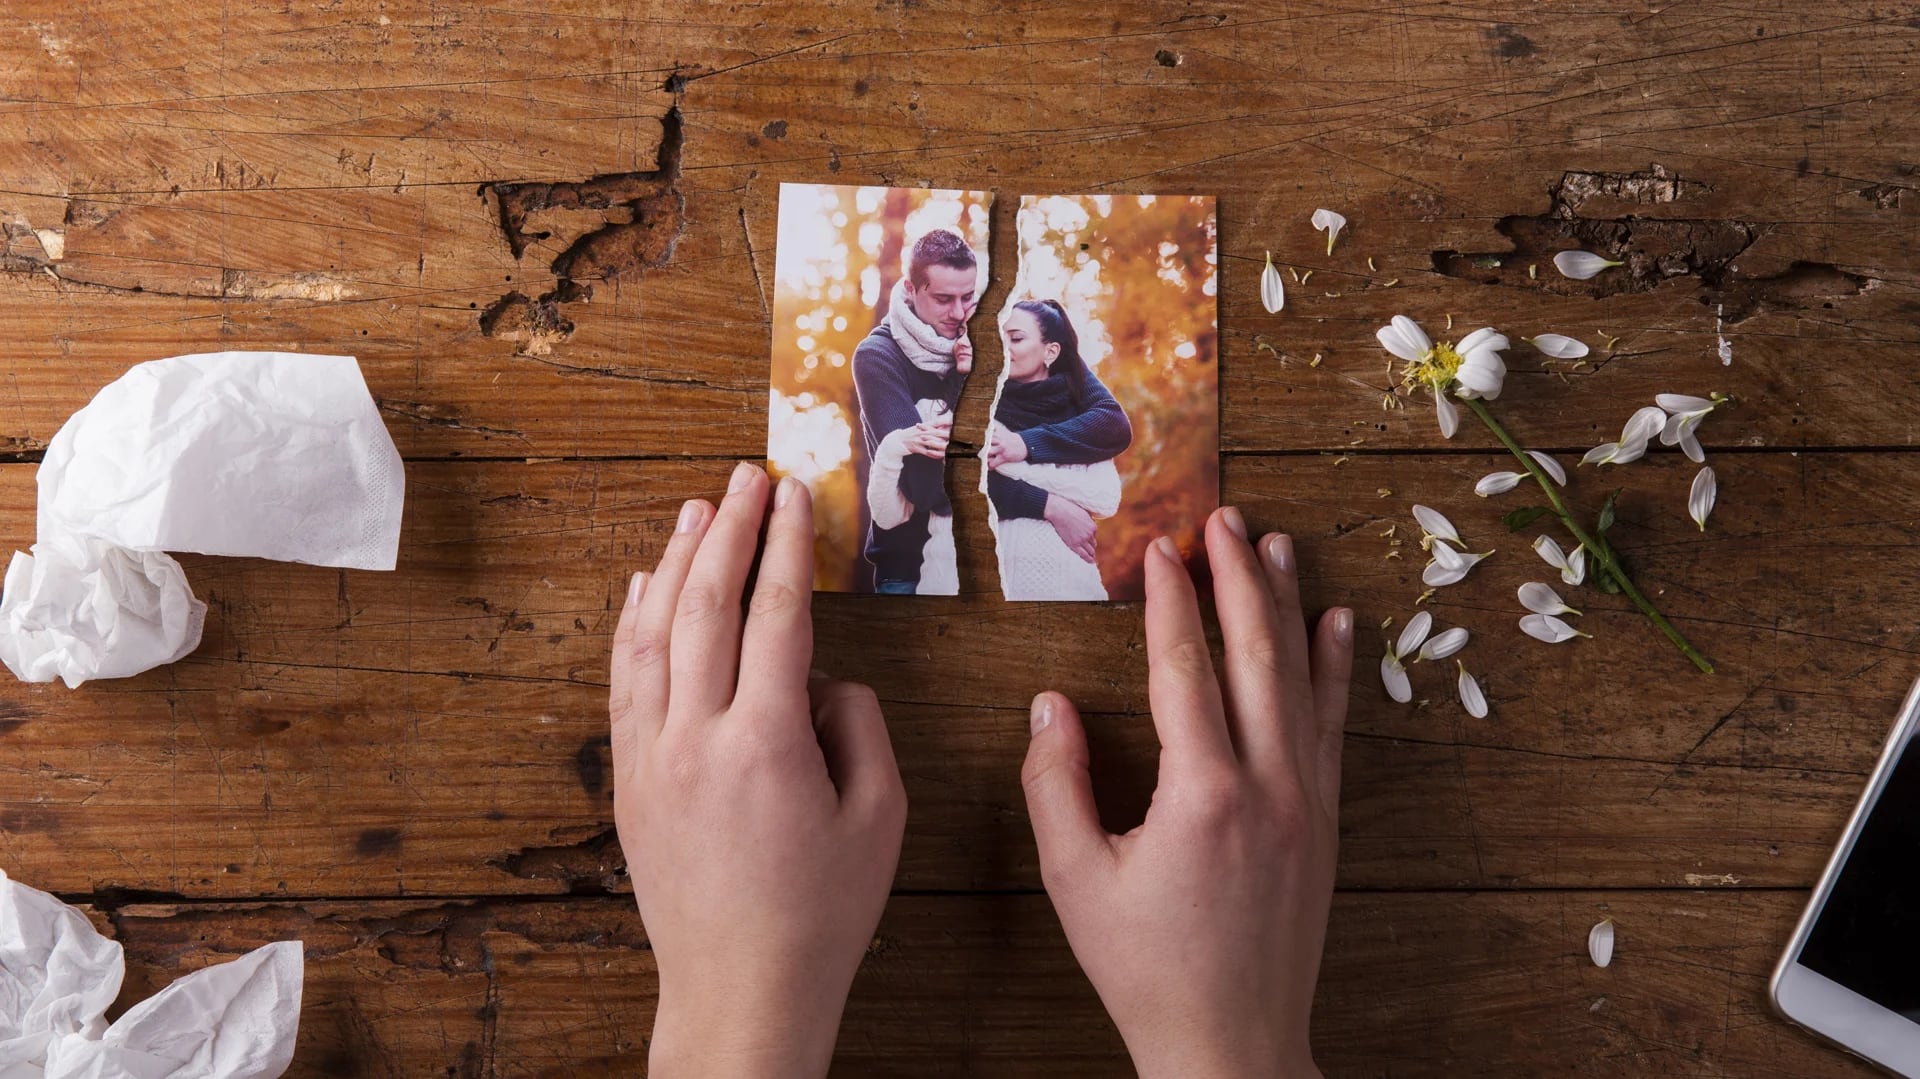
(358, 212)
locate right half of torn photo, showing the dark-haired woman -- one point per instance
(1105, 427)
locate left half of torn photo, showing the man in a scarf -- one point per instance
(873, 297)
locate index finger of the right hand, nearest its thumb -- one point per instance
(1180, 671)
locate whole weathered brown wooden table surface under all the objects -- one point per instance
(546, 231)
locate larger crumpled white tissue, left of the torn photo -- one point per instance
(266, 454)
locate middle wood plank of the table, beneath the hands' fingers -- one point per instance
(443, 731)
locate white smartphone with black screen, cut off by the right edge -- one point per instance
(1852, 972)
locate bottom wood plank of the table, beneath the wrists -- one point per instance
(969, 986)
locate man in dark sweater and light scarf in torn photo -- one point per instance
(907, 375)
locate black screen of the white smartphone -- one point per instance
(1867, 938)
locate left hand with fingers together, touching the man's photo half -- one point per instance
(759, 809)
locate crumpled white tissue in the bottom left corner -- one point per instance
(59, 976)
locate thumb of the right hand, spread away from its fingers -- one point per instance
(1067, 823)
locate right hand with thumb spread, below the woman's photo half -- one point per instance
(1203, 928)
